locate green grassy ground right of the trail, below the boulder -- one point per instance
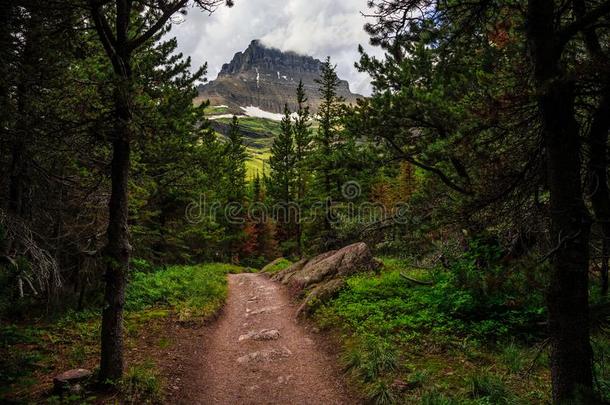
(394, 330)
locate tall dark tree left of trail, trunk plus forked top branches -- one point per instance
(113, 23)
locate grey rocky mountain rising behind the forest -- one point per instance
(266, 78)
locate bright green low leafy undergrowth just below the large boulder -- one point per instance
(390, 306)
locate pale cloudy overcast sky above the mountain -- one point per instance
(318, 28)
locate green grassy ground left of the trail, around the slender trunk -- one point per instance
(30, 355)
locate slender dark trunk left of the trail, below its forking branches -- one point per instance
(118, 248)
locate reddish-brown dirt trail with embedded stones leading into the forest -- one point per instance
(257, 353)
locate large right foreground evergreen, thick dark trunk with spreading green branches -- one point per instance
(493, 107)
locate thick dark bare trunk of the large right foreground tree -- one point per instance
(567, 295)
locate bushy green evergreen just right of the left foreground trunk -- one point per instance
(177, 161)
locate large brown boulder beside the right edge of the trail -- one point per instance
(322, 277)
